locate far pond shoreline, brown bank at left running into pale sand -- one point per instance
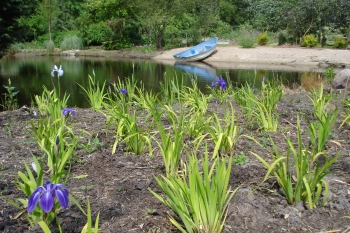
(284, 58)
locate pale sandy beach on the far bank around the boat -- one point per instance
(266, 57)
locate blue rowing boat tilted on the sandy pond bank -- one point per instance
(198, 52)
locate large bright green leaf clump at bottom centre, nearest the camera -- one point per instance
(200, 199)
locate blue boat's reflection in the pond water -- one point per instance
(199, 69)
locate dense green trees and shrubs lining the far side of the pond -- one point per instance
(122, 23)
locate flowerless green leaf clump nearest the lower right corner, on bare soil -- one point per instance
(306, 183)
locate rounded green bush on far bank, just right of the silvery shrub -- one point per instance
(98, 33)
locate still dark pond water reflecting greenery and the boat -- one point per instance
(29, 74)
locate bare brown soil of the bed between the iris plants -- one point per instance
(117, 184)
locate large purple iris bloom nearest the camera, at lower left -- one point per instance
(46, 195)
